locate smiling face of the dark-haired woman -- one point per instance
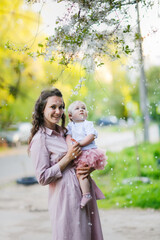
(53, 111)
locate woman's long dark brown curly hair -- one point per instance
(37, 117)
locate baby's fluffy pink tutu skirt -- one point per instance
(92, 157)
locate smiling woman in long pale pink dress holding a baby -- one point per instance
(54, 166)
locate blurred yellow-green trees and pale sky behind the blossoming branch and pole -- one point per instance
(111, 92)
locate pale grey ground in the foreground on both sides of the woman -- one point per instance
(24, 216)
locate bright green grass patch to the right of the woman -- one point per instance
(124, 165)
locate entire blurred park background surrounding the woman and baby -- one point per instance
(121, 90)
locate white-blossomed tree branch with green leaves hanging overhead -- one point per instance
(91, 29)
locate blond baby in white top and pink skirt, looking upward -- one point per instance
(83, 131)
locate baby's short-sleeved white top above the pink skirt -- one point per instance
(79, 130)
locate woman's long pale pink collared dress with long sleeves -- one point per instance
(68, 221)
